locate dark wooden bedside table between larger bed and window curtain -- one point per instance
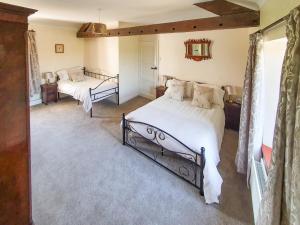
(232, 115)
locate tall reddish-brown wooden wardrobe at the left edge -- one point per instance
(15, 185)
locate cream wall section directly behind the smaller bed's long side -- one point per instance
(102, 55)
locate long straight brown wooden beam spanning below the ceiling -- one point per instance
(248, 19)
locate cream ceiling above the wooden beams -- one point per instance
(113, 11)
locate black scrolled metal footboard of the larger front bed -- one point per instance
(188, 164)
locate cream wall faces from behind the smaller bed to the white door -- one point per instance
(113, 56)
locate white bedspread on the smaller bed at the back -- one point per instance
(80, 90)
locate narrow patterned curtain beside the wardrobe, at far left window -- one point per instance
(33, 65)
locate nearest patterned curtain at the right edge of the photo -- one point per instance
(281, 199)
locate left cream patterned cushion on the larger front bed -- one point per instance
(175, 89)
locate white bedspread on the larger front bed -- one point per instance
(195, 127)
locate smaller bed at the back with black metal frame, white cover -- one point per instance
(93, 88)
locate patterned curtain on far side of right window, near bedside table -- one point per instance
(250, 135)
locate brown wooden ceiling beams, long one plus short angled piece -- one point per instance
(230, 16)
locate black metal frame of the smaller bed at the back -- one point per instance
(94, 94)
